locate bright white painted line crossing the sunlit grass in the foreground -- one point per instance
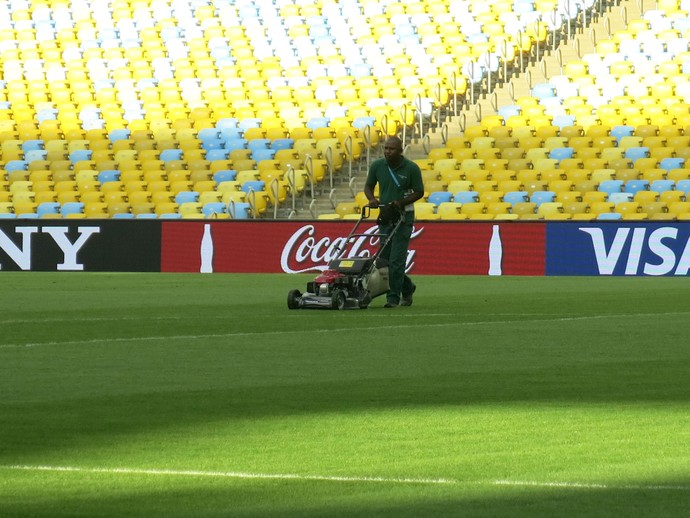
(335, 478)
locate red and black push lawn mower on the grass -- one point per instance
(351, 282)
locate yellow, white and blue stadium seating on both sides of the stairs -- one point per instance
(239, 109)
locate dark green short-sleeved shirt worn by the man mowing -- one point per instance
(409, 177)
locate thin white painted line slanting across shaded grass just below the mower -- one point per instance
(96, 341)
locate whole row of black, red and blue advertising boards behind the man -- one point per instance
(436, 248)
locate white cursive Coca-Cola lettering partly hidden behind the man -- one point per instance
(305, 251)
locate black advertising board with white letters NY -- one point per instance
(80, 245)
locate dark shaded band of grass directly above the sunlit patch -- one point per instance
(32, 428)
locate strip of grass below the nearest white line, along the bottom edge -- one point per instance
(325, 499)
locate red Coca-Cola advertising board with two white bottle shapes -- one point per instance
(452, 248)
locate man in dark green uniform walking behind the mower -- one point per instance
(400, 184)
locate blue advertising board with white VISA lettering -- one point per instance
(615, 248)
